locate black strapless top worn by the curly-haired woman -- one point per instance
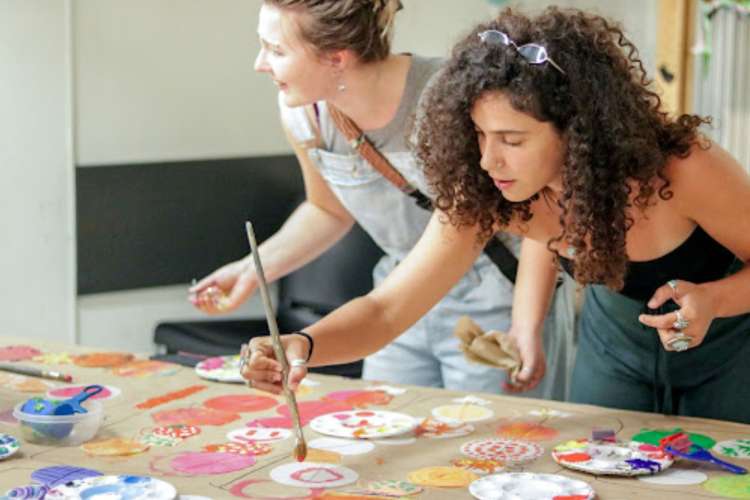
(698, 260)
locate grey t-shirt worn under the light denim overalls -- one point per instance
(393, 137)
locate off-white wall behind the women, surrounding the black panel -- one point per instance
(153, 80)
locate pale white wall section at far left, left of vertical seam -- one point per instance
(37, 294)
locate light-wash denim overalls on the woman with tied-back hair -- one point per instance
(427, 354)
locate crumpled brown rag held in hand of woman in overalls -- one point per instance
(492, 348)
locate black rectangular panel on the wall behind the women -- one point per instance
(157, 224)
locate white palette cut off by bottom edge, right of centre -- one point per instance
(514, 485)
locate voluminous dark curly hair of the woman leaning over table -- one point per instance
(611, 122)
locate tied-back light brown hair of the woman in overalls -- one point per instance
(362, 26)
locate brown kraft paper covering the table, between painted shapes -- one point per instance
(125, 420)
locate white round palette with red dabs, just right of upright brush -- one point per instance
(363, 424)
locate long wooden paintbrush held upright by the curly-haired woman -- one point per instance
(300, 448)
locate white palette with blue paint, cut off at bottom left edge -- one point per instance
(114, 488)
